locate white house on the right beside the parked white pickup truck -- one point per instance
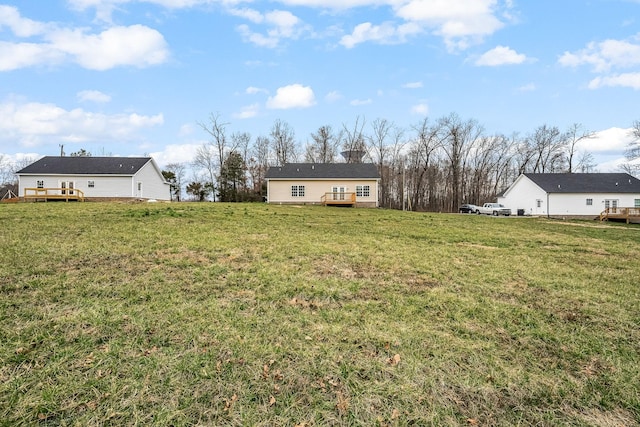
(575, 194)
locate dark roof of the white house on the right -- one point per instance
(585, 182)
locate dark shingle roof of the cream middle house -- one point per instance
(324, 171)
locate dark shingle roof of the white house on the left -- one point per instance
(86, 165)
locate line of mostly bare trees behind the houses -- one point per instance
(433, 165)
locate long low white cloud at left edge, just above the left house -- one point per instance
(34, 124)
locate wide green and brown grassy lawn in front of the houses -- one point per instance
(250, 314)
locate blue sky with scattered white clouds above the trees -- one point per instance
(137, 77)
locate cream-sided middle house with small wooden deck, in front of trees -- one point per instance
(353, 184)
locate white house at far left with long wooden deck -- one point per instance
(94, 177)
